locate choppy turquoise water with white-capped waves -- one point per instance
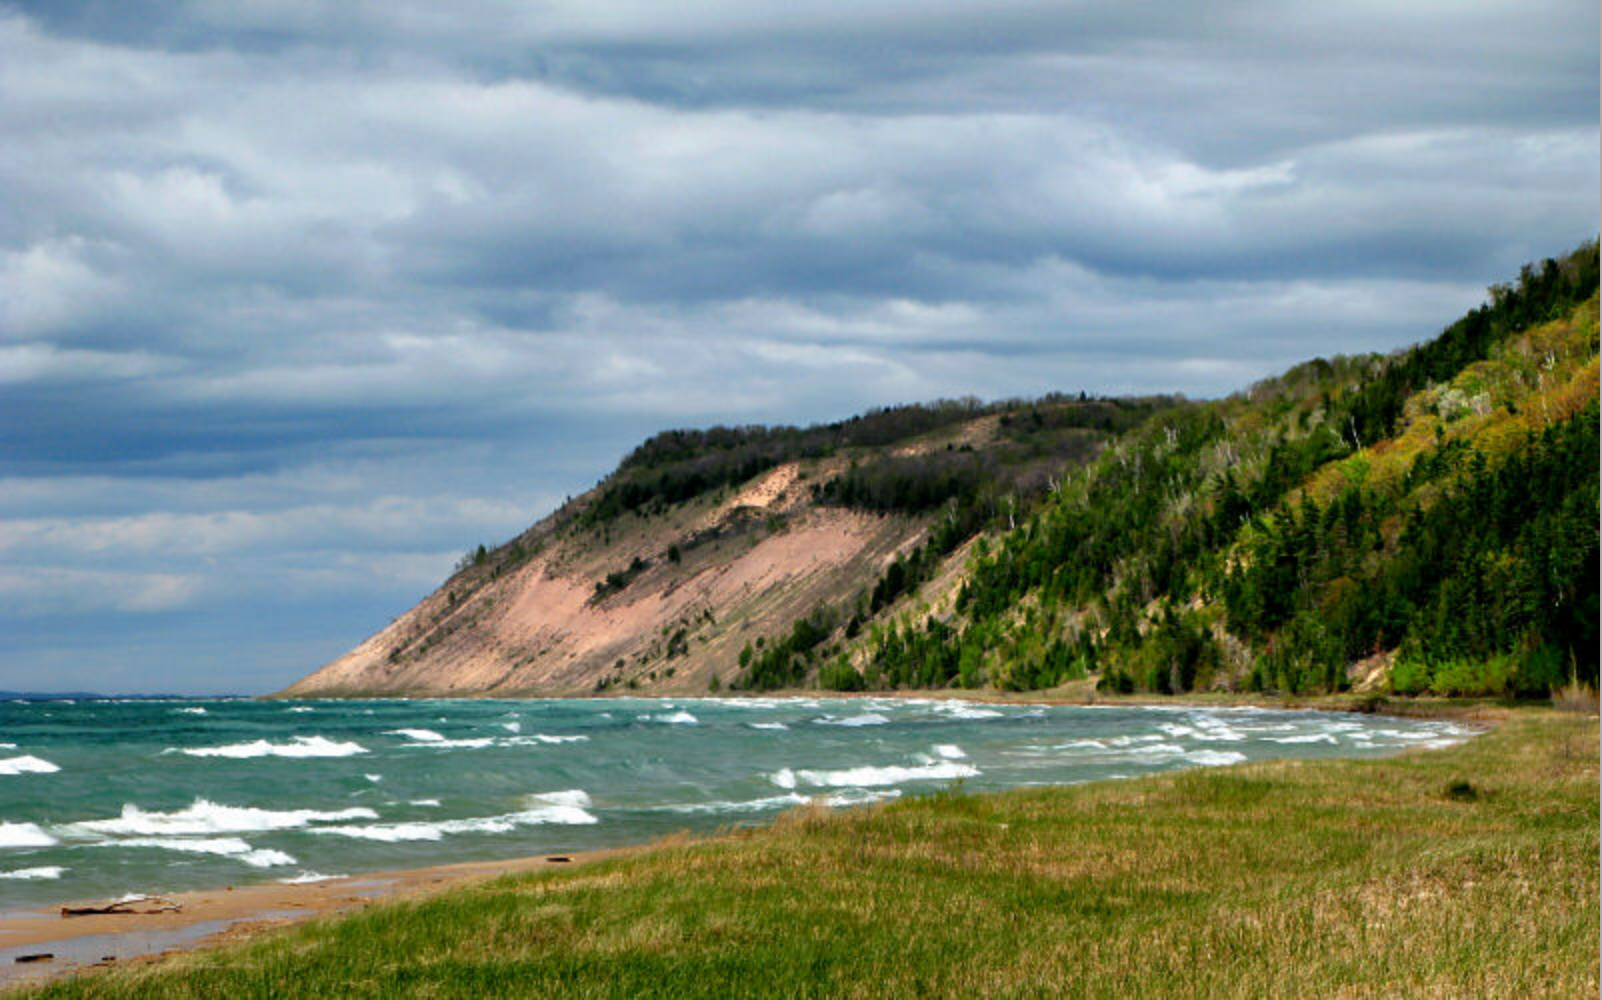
(102, 799)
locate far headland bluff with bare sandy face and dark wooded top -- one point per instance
(702, 542)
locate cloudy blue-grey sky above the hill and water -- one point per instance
(302, 300)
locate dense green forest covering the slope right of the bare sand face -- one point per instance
(1431, 514)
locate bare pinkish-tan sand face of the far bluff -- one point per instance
(544, 627)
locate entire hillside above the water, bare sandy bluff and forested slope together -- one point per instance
(1419, 522)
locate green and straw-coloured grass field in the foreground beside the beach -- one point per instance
(1463, 873)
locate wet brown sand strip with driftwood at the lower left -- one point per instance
(215, 916)
